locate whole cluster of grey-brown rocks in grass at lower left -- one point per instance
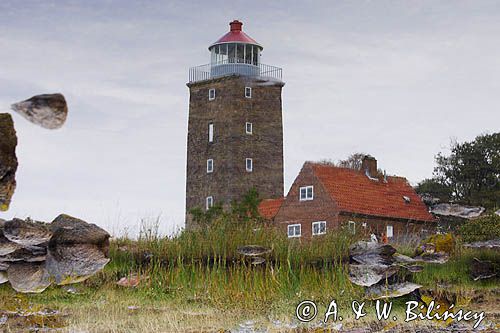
(35, 254)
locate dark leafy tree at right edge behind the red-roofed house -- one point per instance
(472, 171)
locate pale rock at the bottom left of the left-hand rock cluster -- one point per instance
(28, 277)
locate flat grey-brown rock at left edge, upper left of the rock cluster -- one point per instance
(26, 233)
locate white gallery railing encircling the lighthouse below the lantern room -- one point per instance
(233, 67)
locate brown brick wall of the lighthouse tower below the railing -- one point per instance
(231, 146)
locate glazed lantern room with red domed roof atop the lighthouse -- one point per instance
(235, 47)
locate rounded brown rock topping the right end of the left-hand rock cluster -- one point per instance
(70, 230)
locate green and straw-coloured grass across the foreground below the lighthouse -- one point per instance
(198, 281)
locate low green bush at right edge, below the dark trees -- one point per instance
(481, 229)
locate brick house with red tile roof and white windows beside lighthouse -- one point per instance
(324, 197)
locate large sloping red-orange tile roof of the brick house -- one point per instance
(354, 192)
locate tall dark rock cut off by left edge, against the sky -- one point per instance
(8, 160)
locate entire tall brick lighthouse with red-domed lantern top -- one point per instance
(235, 130)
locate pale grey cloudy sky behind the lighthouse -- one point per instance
(396, 79)
